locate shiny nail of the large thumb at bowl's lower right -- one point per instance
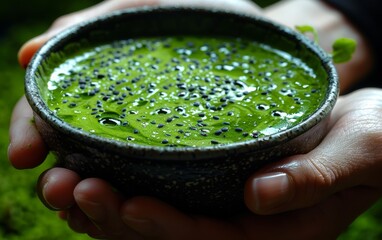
(271, 191)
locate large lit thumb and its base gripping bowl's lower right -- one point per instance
(349, 156)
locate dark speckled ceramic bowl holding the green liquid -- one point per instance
(207, 180)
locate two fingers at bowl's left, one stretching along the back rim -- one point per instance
(26, 149)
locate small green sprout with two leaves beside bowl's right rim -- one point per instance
(342, 48)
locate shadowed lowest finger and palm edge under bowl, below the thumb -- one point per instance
(155, 220)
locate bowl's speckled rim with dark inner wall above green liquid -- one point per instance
(149, 22)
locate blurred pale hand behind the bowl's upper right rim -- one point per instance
(330, 25)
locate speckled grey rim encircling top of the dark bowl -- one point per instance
(39, 107)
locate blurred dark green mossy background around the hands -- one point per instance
(22, 216)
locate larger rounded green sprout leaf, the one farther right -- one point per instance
(343, 49)
